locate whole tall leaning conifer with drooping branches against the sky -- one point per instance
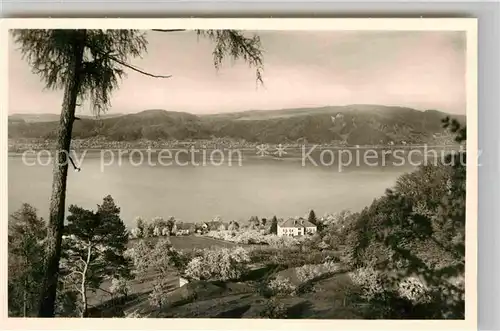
(88, 65)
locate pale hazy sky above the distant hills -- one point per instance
(415, 69)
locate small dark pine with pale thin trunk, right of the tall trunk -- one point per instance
(94, 248)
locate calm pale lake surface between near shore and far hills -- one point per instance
(260, 187)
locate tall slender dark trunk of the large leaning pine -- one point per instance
(57, 200)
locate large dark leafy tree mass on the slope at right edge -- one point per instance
(414, 239)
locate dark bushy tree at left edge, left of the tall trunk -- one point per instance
(26, 237)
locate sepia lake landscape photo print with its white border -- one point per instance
(189, 172)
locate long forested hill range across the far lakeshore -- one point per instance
(353, 124)
